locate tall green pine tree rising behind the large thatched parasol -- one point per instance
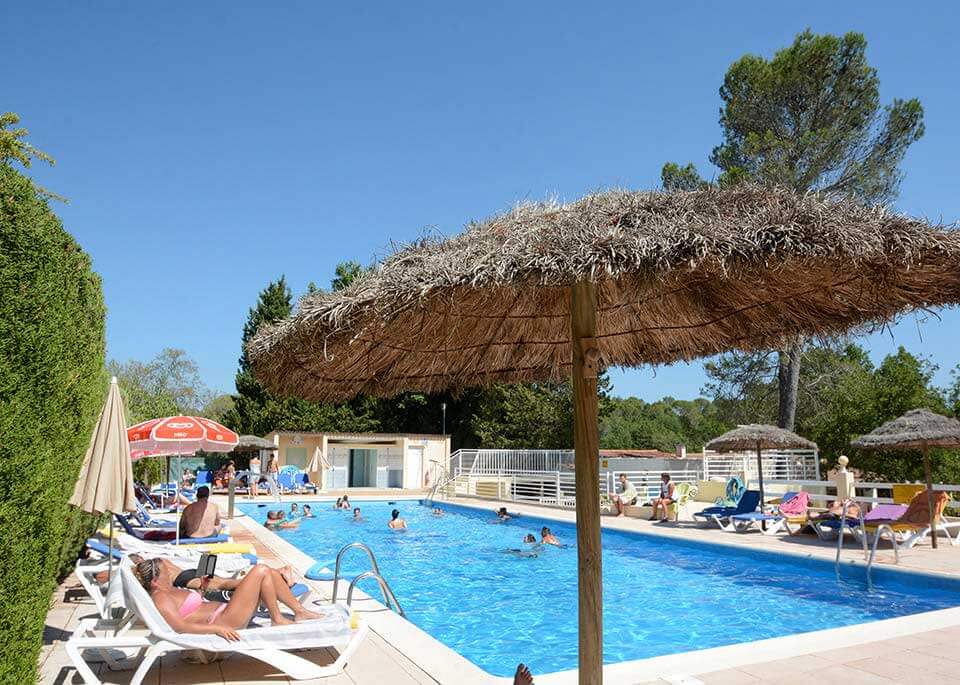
(809, 119)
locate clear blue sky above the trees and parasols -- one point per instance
(207, 148)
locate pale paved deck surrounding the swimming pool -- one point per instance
(907, 650)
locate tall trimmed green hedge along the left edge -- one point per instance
(52, 385)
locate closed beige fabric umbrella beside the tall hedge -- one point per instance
(106, 477)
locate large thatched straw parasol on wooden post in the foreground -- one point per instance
(550, 291)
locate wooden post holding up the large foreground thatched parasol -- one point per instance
(586, 440)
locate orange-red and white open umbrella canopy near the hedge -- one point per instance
(173, 435)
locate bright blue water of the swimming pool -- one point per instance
(661, 596)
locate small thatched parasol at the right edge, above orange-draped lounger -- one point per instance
(917, 429)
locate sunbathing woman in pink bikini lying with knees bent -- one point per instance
(188, 612)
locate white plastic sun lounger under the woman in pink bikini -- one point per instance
(268, 644)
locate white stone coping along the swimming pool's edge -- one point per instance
(446, 665)
